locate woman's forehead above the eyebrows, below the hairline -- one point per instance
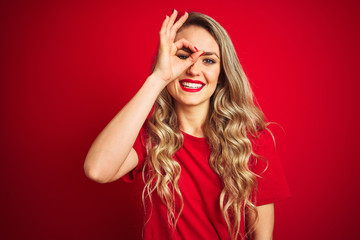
(200, 37)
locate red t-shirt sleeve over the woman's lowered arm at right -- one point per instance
(272, 184)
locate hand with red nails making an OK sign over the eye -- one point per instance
(168, 66)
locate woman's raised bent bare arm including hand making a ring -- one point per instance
(111, 155)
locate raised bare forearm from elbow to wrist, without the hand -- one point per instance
(111, 147)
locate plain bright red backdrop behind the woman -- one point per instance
(67, 67)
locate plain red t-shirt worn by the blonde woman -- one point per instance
(200, 187)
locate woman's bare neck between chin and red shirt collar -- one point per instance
(192, 118)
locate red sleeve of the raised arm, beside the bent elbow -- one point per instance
(140, 148)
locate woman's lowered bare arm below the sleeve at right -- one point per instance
(264, 225)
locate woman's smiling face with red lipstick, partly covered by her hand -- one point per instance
(196, 85)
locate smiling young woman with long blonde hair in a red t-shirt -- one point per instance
(205, 153)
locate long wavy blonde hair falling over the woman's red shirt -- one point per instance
(232, 120)
